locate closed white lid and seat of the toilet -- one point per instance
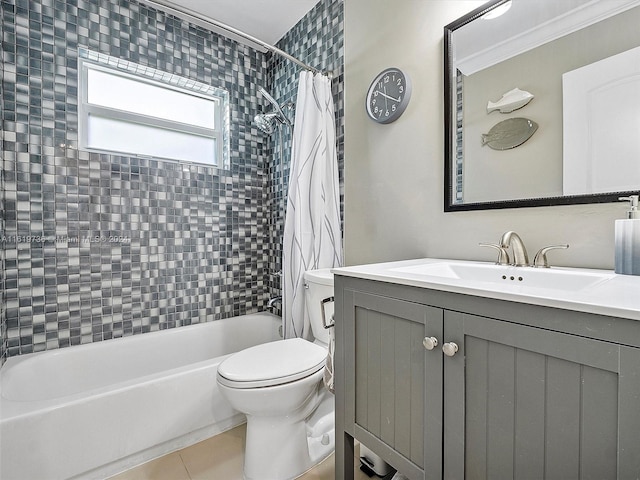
(272, 363)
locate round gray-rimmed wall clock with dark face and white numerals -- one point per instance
(388, 95)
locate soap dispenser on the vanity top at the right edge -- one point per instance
(627, 240)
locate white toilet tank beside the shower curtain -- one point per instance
(318, 286)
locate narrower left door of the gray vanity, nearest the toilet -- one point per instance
(394, 385)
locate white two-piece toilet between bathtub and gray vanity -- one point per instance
(279, 387)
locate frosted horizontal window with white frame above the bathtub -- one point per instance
(130, 109)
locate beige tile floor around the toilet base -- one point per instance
(218, 458)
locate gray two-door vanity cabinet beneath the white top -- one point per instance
(531, 392)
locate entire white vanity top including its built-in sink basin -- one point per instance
(600, 292)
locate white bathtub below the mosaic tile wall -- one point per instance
(94, 410)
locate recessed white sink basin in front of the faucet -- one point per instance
(567, 279)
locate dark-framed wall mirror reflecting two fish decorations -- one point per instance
(542, 104)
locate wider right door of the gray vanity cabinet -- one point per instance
(528, 403)
